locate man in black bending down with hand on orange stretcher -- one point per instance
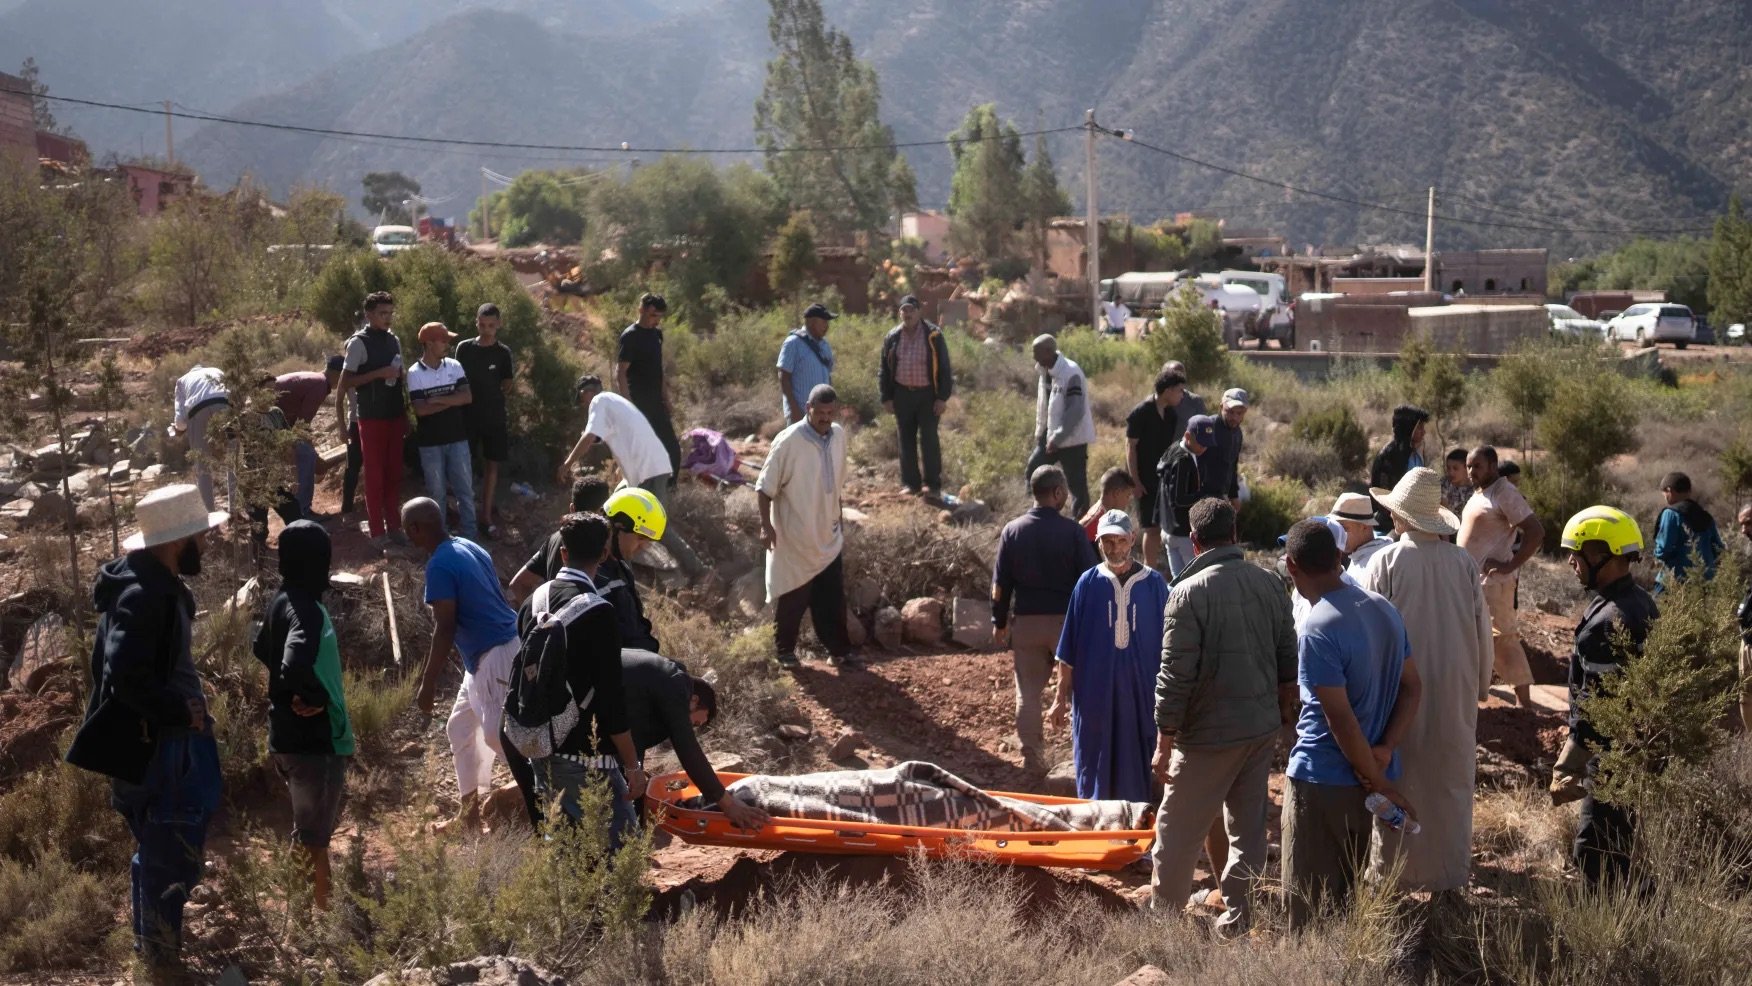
(667, 705)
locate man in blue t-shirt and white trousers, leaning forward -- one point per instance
(470, 614)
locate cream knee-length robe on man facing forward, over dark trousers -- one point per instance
(803, 477)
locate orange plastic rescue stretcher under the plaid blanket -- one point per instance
(1085, 850)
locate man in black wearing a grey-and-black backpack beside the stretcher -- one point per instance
(593, 670)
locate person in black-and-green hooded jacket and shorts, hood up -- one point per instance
(309, 733)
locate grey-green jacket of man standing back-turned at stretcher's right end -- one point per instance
(1227, 645)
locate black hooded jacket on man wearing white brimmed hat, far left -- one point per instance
(141, 668)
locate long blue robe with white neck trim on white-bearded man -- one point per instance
(1113, 645)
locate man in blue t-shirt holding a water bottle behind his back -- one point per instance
(1359, 698)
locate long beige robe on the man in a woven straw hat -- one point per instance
(1436, 588)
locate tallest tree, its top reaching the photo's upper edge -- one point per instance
(819, 123)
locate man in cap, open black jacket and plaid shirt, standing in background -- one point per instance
(915, 386)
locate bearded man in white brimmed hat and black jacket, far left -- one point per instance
(146, 726)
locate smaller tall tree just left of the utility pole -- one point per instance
(985, 194)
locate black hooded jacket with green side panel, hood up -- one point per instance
(297, 644)
